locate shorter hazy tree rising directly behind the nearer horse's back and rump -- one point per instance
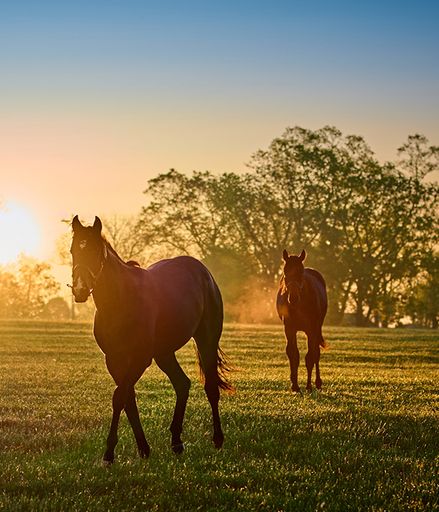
(192, 215)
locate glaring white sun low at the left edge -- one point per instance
(19, 232)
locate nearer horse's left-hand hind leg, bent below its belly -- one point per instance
(181, 383)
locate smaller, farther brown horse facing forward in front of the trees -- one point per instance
(301, 305)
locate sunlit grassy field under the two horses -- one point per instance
(368, 441)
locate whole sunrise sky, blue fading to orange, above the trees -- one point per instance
(97, 97)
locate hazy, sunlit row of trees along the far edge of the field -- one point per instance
(371, 228)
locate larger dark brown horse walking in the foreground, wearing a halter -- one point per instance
(146, 314)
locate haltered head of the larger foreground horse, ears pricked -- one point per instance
(88, 257)
